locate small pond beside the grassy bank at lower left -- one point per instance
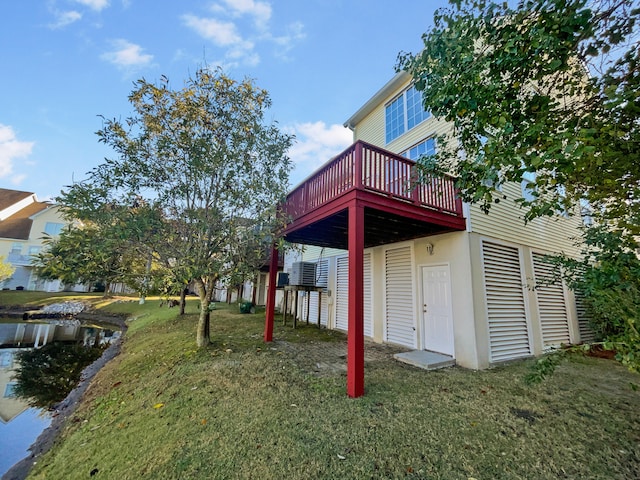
(22, 421)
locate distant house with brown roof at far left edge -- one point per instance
(24, 222)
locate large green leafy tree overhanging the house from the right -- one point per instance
(547, 92)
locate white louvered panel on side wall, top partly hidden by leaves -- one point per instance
(552, 306)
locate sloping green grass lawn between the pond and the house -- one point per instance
(245, 409)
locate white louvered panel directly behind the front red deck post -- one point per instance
(342, 295)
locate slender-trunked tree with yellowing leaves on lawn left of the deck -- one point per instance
(205, 160)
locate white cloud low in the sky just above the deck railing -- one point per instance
(316, 143)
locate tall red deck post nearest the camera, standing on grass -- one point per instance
(355, 332)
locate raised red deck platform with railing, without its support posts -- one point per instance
(397, 206)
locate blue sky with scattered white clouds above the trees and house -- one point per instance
(66, 64)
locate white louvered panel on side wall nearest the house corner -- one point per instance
(506, 312)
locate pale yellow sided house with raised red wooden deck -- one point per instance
(411, 264)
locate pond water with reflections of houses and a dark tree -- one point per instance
(20, 424)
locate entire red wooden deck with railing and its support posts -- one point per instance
(364, 197)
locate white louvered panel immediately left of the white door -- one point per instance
(399, 316)
